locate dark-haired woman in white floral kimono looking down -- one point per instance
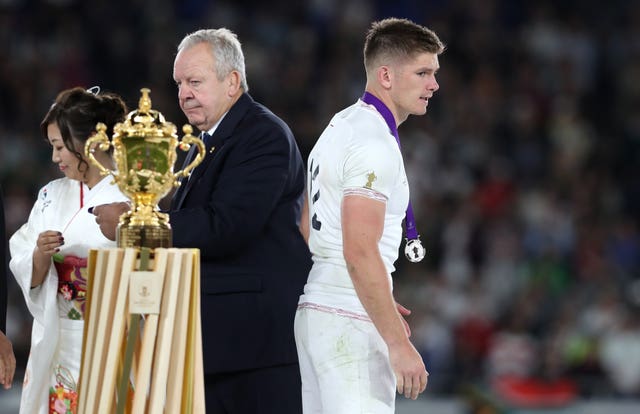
(49, 252)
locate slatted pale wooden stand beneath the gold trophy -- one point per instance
(165, 366)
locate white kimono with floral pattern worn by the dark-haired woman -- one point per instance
(56, 337)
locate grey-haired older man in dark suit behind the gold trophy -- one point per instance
(241, 207)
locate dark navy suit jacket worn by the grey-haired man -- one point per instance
(241, 207)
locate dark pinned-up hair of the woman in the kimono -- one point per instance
(76, 112)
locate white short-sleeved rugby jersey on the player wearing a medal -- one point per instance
(356, 154)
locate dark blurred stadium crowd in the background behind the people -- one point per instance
(524, 174)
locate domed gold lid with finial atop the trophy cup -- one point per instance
(145, 122)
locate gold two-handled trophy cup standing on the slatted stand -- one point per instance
(144, 153)
